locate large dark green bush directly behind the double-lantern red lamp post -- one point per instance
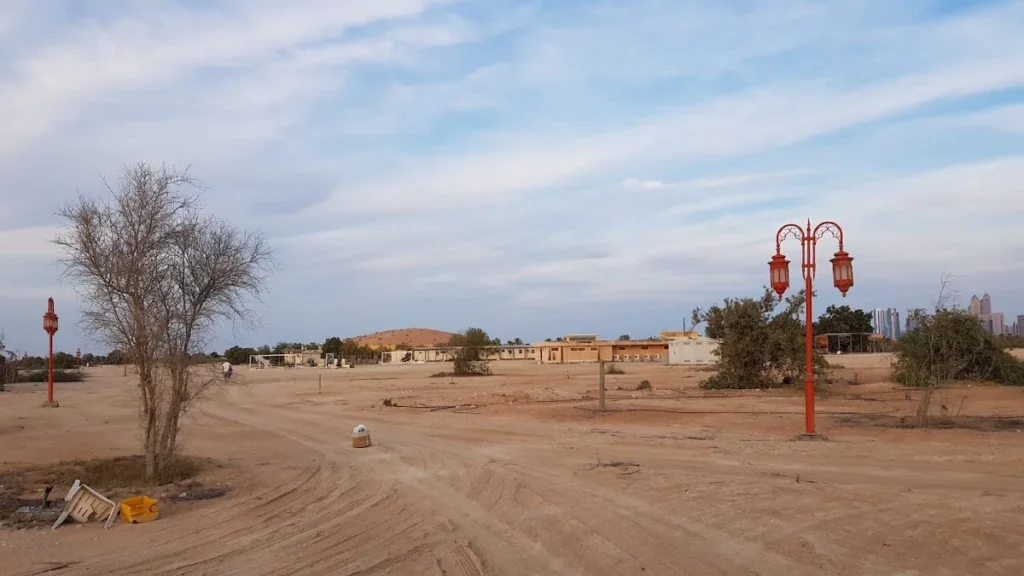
(760, 346)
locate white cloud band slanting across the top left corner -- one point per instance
(157, 53)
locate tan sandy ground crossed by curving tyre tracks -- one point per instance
(508, 483)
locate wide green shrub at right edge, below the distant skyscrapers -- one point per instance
(953, 346)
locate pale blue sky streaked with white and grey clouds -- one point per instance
(533, 168)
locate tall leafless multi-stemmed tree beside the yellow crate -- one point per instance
(156, 277)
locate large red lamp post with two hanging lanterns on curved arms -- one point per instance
(780, 274)
